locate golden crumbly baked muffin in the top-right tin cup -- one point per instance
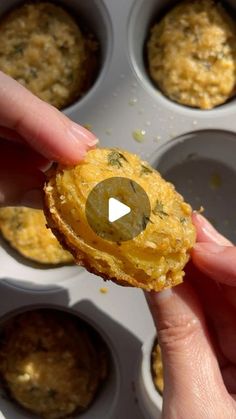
(191, 54)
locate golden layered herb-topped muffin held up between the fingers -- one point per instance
(155, 258)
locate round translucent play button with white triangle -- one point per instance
(118, 209)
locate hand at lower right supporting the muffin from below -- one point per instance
(196, 324)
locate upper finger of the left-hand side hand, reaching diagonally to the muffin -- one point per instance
(42, 126)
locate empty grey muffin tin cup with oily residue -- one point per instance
(201, 165)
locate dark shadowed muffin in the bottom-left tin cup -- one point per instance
(51, 363)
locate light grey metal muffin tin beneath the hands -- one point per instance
(121, 108)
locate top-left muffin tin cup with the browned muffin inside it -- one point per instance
(58, 61)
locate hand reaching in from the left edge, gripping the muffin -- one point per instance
(32, 134)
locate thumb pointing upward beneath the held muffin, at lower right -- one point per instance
(190, 365)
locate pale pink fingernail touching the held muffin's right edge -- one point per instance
(208, 232)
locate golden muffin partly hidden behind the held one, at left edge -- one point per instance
(25, 230)
